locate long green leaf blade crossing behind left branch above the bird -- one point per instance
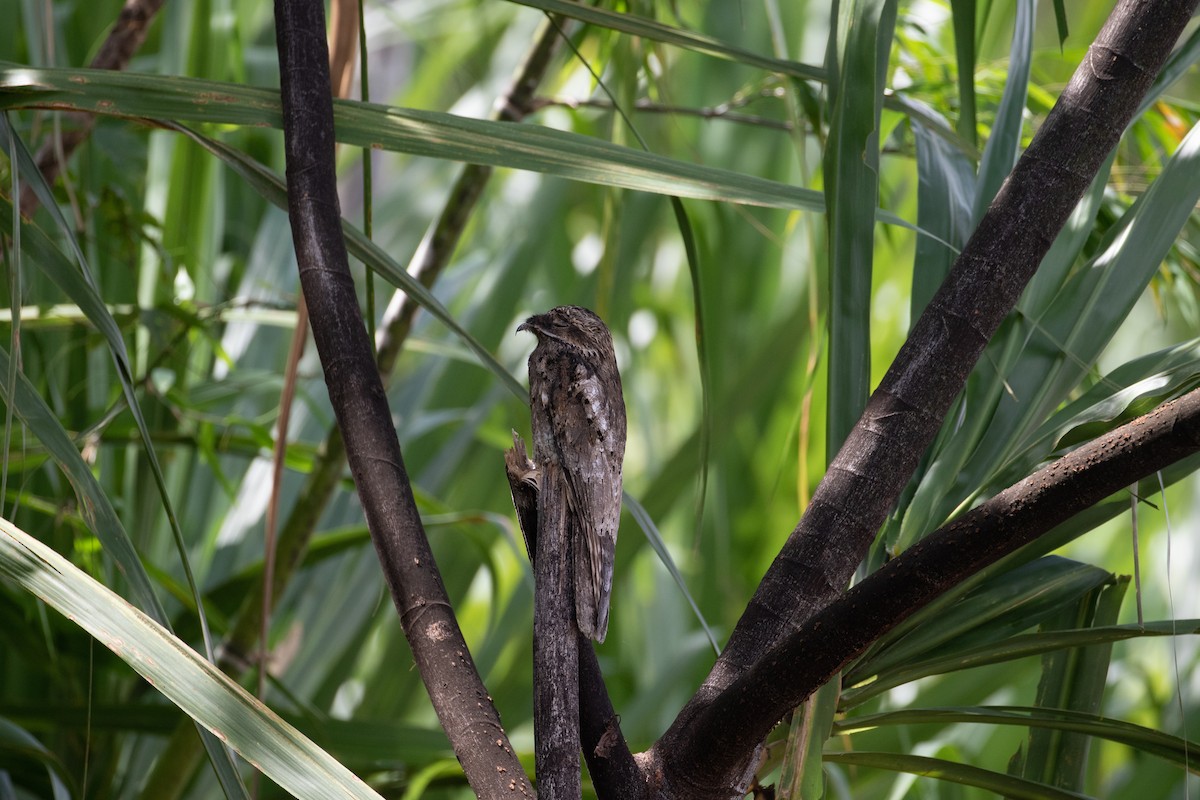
(417, 133)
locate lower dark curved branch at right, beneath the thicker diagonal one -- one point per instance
(833, 637)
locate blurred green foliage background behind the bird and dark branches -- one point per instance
(195, 266)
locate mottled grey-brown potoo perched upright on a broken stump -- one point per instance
(579, 424)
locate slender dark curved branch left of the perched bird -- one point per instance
(357, 395)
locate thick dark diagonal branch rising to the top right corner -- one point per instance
(907, 411)
